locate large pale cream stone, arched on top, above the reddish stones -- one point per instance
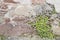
(22, 11)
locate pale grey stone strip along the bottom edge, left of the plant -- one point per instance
(24, 38)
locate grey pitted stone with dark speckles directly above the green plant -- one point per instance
(45, 9)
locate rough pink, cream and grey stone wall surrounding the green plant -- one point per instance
(14, 15)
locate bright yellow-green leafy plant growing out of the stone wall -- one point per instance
(43, 29)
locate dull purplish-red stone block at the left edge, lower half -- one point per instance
(4, 29)
